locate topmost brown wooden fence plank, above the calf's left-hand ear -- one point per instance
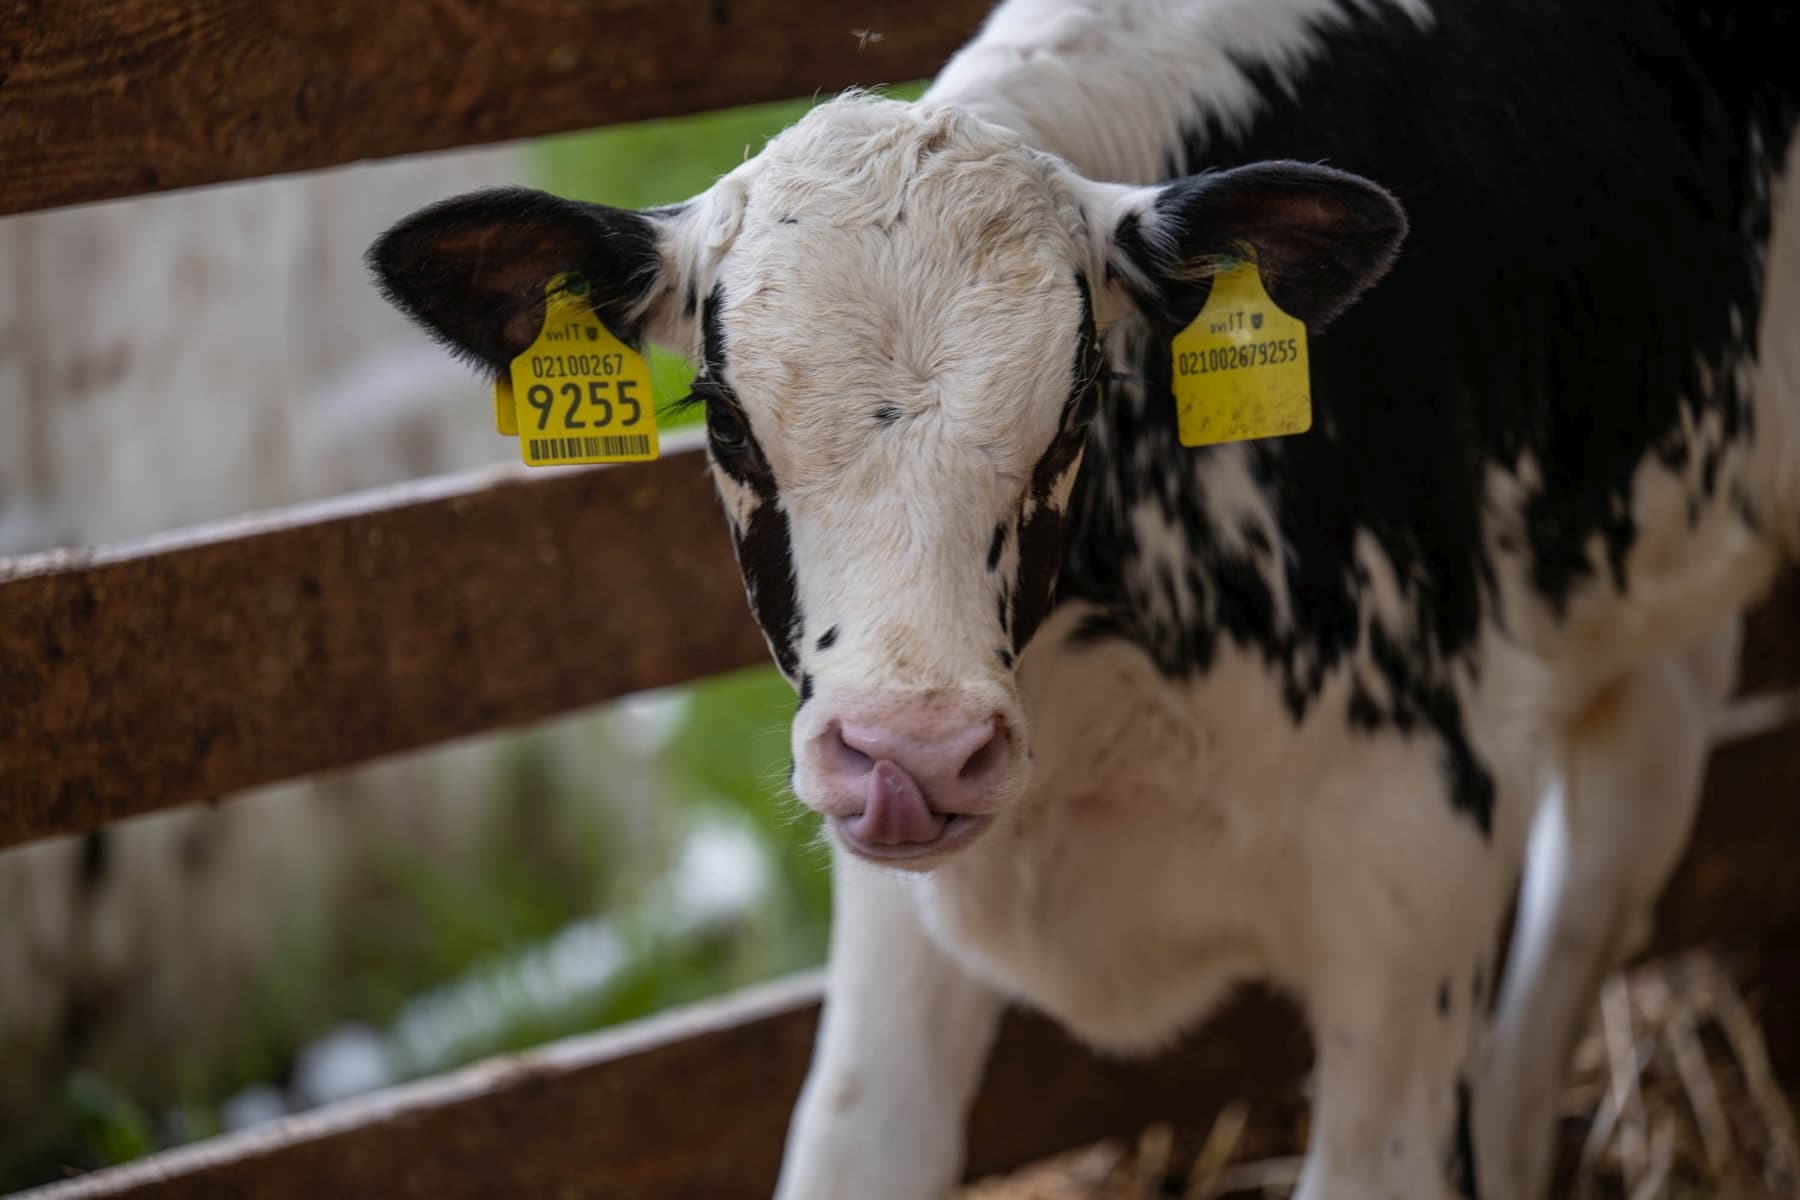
(114, 98)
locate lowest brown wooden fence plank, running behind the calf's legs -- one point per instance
(696, 1106)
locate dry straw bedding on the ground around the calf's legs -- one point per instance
(1671, 1098)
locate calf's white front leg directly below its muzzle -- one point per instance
(901, 1050)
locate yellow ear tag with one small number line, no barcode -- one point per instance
(1241, 368)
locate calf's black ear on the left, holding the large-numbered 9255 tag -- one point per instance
(472, 269)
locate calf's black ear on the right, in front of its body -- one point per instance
(1320, 237)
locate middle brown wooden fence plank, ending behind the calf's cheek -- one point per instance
(190, 667)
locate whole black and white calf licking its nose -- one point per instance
(1106, 726)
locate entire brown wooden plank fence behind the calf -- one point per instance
(190, 667)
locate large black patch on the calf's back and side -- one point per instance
(1572, 253)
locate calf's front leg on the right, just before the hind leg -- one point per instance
(1405, 902)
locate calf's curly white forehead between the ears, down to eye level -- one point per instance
(901, 260)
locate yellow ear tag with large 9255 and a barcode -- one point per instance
(579, 393)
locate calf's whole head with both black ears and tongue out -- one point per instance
(897, 316)
